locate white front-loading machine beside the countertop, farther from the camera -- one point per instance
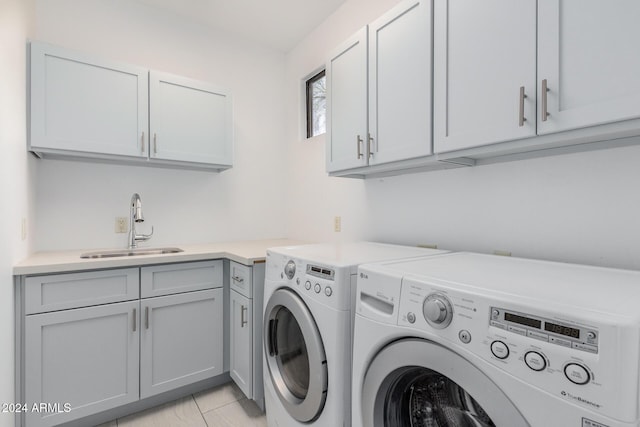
(308, 322)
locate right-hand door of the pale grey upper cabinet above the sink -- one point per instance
(190, 121)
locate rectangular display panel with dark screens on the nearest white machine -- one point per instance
(564, 334)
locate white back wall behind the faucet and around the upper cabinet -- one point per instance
(77, 202)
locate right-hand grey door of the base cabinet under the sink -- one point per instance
(181, 340)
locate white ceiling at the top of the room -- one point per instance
(279, 24)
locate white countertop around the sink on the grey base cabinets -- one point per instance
(244, 252)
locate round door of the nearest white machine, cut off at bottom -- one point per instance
(415, 382)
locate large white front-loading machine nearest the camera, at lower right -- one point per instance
(479, 340)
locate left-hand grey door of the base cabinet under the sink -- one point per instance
(86, 357)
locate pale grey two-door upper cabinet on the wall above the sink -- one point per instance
(82, 106)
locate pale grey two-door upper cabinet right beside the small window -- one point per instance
(379, 92)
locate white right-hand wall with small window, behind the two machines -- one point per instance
(580, 208)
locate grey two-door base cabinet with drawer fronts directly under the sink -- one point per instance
(94, 356)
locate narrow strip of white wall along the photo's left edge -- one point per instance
(16, 21)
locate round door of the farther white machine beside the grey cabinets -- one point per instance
(295, 355)
